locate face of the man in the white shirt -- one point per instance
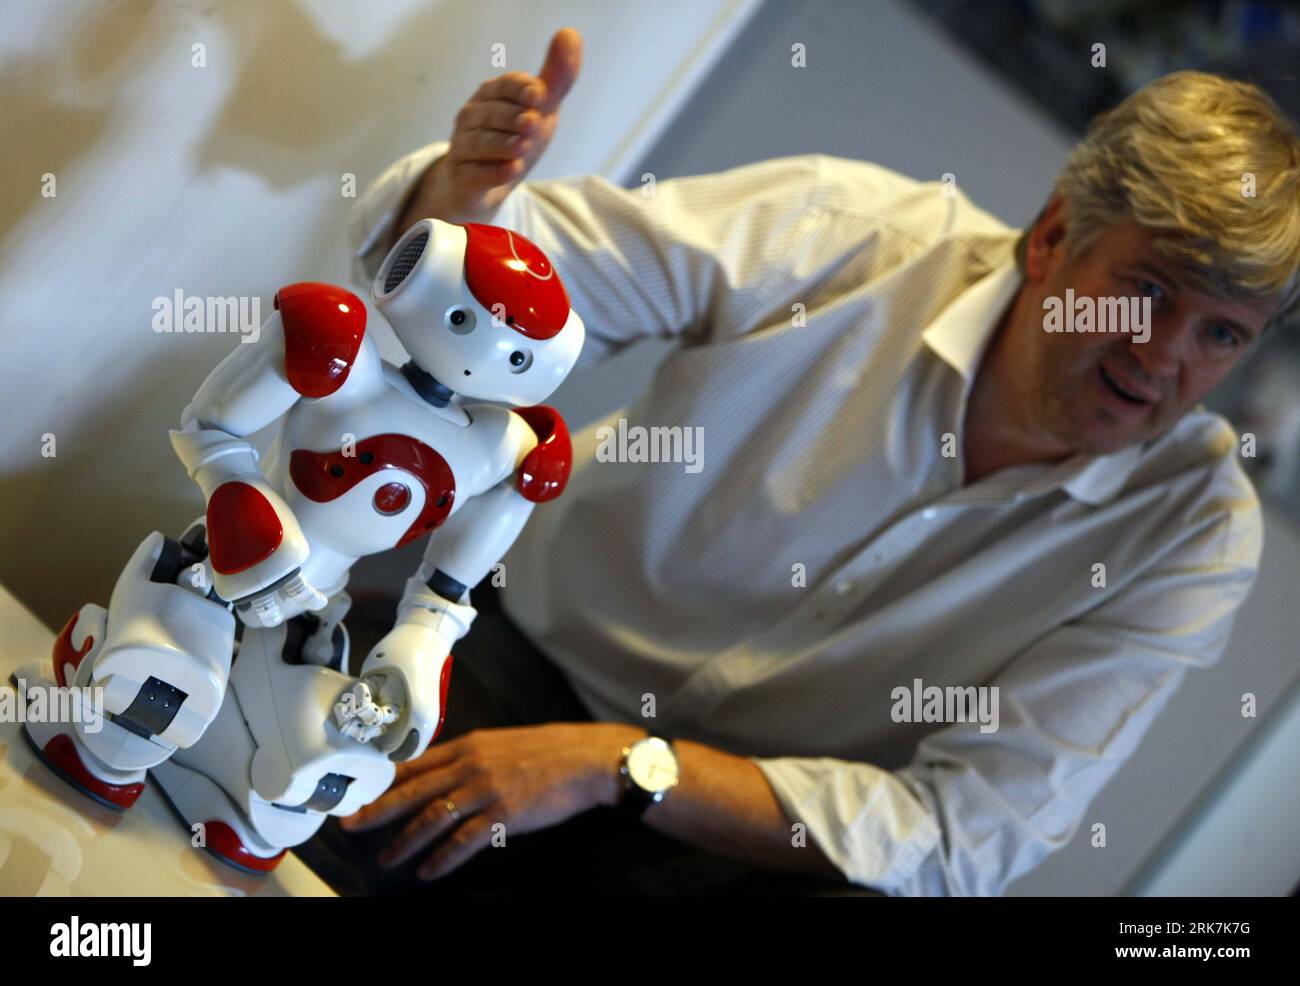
(1068, 380)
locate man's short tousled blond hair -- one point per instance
(1176, 158)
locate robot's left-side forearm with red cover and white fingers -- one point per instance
(275, 580)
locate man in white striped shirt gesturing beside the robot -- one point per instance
(911, 487)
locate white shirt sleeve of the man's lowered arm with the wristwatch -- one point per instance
(974, 811)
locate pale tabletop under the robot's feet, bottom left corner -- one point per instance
(58, 842)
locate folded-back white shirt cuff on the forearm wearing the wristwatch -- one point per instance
(864, 819)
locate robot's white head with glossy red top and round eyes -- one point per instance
(482, 309)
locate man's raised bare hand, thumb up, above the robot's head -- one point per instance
(500, 135)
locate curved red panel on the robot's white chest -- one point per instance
(328, 475)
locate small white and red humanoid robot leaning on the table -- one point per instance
(254, 742)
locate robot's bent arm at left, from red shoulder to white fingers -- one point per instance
(304, 349)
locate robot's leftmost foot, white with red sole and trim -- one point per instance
(59, 747)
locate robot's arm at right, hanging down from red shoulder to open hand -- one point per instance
(410, 669)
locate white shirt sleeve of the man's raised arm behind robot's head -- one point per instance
(696, 258)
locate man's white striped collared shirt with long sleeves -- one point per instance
(825, 555)
